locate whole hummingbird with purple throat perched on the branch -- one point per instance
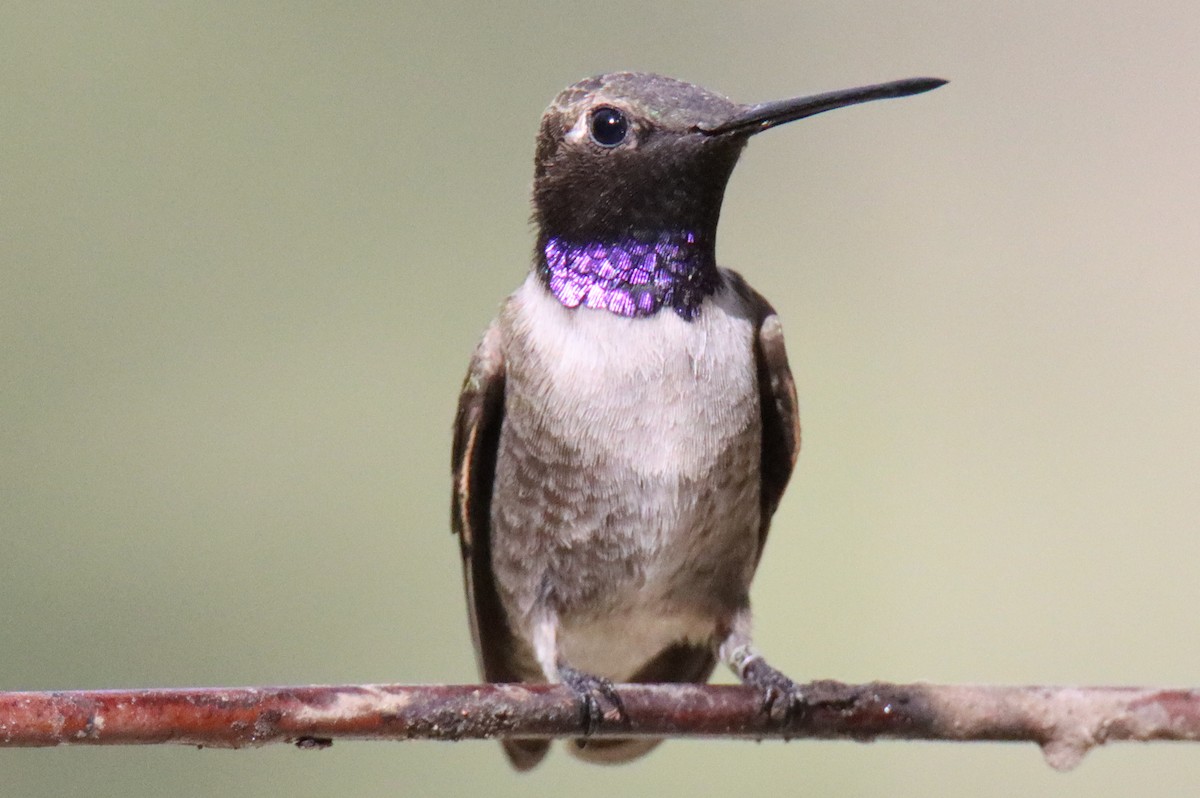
(629, 421)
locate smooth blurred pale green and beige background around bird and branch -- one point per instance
(247, 250)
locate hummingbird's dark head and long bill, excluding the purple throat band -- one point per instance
(633, 153)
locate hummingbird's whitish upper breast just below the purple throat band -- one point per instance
(658, 394)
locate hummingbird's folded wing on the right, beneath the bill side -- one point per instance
(777, 397)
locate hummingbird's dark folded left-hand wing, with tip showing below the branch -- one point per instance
(477, 435)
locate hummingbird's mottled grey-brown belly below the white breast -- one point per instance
(627, 565)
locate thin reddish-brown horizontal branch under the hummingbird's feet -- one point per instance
(1065, 722)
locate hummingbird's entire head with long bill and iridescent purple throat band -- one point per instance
(629, 178)
